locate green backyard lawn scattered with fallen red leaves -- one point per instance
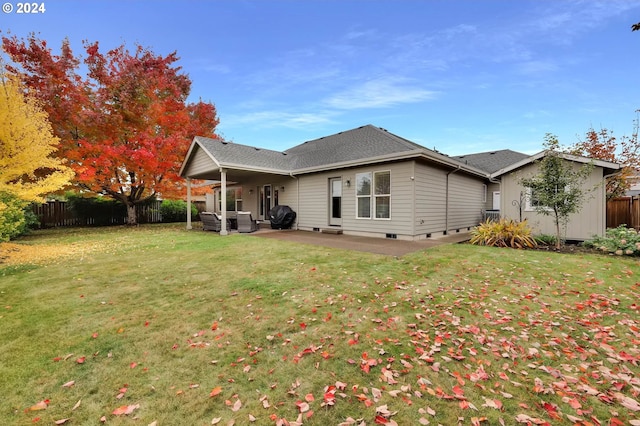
(189, 328)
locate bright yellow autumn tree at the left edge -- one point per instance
(28, 169)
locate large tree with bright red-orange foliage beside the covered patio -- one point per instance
(126, 125)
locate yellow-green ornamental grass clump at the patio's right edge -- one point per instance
(503, 233)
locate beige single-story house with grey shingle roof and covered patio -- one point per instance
(370, 182)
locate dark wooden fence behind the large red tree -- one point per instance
(59, 213)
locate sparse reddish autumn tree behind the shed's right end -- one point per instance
(603, 145)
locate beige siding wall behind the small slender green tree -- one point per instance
(589, 221)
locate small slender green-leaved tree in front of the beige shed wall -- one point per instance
(557, 189)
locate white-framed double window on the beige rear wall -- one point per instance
(373, 194)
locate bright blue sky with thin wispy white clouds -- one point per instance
(458, 76)
